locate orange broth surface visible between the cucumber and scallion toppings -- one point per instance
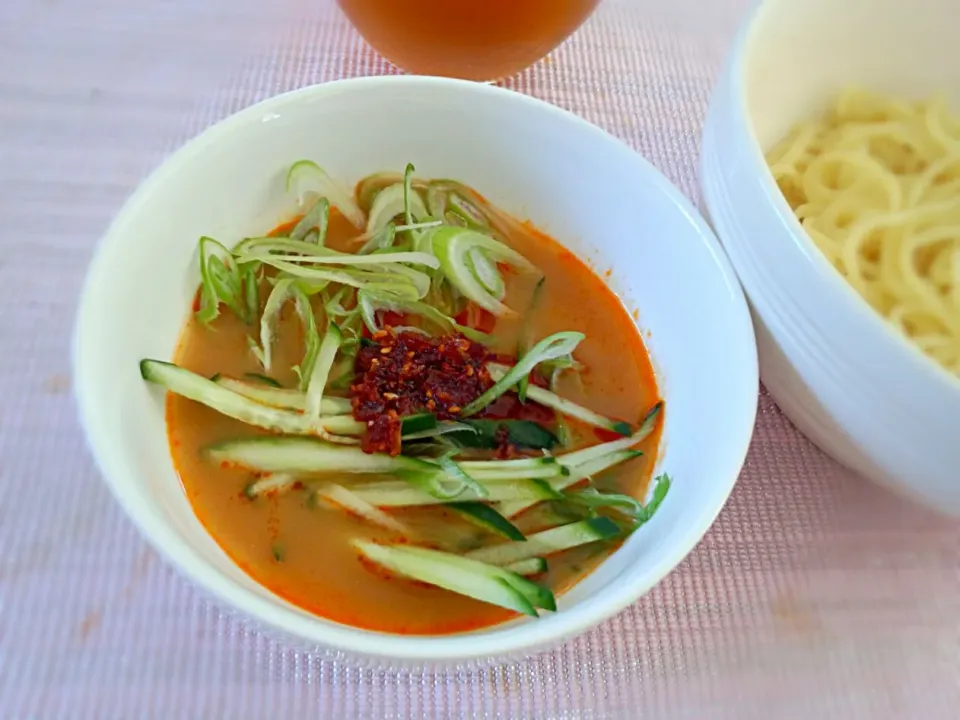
(301, 551)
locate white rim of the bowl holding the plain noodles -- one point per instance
(923, 363)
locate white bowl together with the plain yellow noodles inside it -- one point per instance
(831, 173)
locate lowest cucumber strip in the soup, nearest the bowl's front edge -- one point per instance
(466, 577)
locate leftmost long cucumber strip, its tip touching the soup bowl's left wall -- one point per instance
(207, 392)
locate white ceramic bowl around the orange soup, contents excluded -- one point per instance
(590, 191)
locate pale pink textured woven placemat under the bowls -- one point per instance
(815, 595)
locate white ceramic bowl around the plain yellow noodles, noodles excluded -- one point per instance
(847, 379)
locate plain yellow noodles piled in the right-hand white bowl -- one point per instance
(875, 183)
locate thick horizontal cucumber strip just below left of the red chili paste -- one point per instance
(309, 455)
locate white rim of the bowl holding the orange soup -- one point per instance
(497, 642)
